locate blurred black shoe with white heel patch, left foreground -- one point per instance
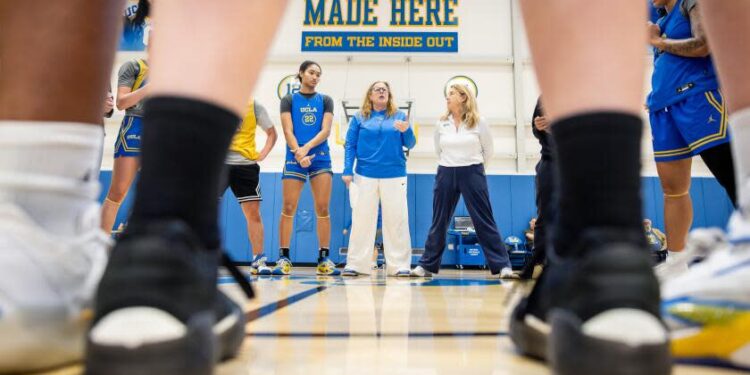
(158, 308)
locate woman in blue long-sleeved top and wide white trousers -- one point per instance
(376, 137)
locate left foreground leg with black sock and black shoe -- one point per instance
(162, 272)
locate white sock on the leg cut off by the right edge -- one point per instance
(740, 125)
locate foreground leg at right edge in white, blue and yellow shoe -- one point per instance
(728, 270)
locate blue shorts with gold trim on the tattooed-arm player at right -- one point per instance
(686, 128)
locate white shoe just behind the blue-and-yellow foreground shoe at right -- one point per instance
(699, 245)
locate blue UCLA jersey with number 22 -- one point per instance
(307, 119)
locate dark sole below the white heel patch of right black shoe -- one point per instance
(571, 352)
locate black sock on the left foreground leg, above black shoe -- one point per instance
(184, 145)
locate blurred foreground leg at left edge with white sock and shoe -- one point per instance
(56, 59)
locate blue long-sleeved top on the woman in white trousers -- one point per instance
(377, 146)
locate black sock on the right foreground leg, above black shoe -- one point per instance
(599, 165)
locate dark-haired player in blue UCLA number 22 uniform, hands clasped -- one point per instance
(306, 118)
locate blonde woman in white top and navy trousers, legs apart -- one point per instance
(463, 143)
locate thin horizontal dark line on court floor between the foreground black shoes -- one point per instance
(346, 335)
